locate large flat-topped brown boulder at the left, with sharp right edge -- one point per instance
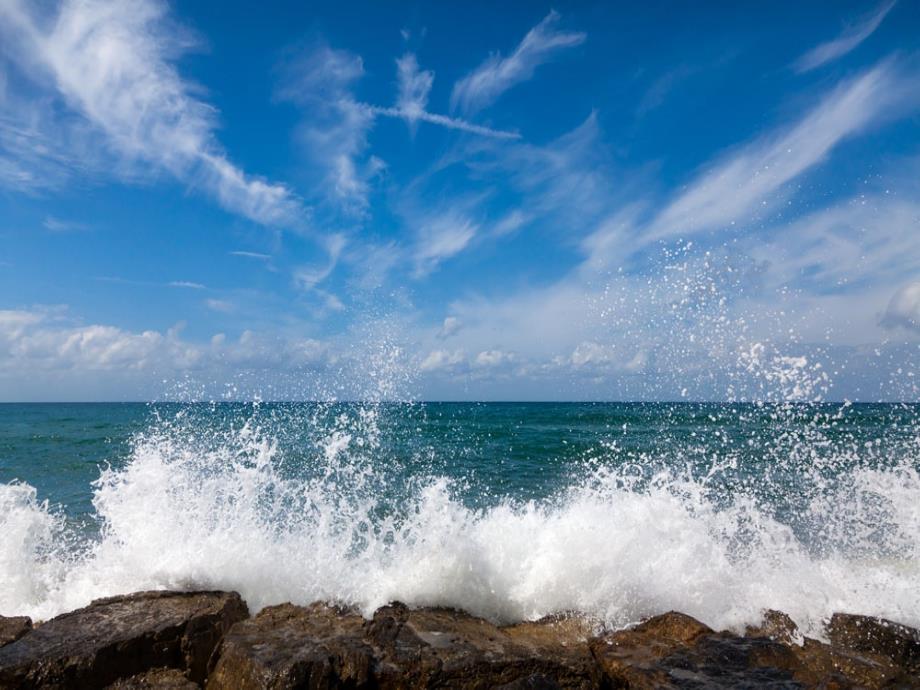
(120, 637)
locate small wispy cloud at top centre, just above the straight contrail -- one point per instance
(491, 79)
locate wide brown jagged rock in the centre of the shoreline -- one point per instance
(324, 646)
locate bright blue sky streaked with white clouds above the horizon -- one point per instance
(459, 201)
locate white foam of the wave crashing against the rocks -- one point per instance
(193, 513)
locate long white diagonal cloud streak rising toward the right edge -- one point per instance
(737, 187)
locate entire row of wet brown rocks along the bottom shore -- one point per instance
(208, 639)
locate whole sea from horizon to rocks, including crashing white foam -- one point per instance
(511, 511)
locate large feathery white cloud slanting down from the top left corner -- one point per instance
(114, 64)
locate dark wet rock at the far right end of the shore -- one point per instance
(899, 643)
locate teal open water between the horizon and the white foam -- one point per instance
(493, 450)
